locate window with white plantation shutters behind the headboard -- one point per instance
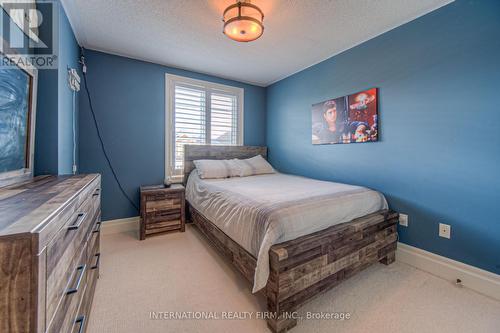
(199, 112)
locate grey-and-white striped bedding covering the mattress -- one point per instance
(260, 211)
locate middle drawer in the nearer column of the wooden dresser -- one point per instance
(71, 297)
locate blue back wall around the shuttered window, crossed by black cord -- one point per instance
(129, 101)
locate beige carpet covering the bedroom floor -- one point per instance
(181, 272)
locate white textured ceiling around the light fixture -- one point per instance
(188, 33)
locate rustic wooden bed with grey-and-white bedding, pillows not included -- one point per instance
(291, 237)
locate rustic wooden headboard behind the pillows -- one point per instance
(207, 152)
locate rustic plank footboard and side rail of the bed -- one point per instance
(309, 265)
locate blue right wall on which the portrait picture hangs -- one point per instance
(439, 153)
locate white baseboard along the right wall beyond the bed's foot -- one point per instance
(479, 280)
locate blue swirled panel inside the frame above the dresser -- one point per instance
(14, 118)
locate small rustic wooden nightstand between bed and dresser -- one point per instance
(162, 209)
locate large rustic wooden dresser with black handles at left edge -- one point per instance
(49, 253)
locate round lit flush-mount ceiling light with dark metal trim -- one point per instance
(243, 22)
